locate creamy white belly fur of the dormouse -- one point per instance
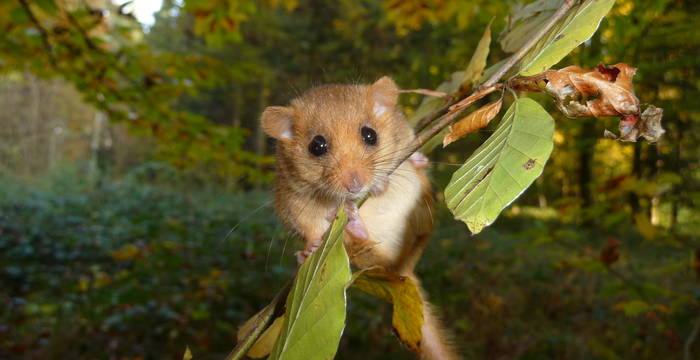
(386, 215)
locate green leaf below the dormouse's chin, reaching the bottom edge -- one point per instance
(315, 315)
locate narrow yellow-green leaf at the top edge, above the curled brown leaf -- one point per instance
(578, 27)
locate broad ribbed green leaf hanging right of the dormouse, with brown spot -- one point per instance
(502, 167)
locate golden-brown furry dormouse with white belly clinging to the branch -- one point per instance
(308, 188)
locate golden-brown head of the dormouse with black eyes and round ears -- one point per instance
(340, 141)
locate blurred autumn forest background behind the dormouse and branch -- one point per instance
(135, 204)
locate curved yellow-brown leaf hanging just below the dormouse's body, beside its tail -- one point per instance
(407, 318)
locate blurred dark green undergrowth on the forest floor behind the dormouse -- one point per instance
(139, 269)
